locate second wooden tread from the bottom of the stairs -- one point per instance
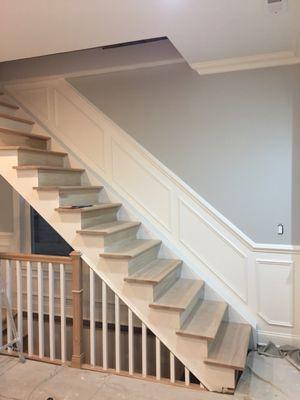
(205, 321)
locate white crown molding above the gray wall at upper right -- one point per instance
(245, 63)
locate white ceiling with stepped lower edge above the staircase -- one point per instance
(212, 35)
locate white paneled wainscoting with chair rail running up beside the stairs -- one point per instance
(231, 264)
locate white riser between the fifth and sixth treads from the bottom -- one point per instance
(104, 241)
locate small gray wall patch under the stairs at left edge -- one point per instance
(6, 209)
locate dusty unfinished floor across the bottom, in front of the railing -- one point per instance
(264, 379)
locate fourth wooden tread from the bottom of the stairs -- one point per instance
(154, 272)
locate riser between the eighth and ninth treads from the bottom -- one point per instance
(59, 178)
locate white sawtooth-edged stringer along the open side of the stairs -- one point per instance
(191, 351)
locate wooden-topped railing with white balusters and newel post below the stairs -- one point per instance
(65, 313)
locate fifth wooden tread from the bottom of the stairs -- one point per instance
(131, 249)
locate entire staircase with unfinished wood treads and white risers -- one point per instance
(196, 329)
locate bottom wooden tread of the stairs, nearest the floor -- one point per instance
(229, 348)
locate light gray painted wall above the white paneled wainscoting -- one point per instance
(228, 136)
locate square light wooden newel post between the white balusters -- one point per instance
(77, 299)
